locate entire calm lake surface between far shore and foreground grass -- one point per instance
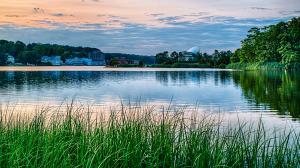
(274, 95)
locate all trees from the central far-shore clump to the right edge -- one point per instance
(277, 45)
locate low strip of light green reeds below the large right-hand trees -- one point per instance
(263, 66)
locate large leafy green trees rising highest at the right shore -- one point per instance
(276, 43)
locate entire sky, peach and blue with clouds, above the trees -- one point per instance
(140, 26)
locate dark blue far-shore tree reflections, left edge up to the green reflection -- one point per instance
(60, 78)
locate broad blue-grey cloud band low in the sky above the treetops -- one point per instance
(139, 39)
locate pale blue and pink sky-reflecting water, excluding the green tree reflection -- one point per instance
(212, 92)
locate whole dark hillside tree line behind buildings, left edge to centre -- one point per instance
(32, 53)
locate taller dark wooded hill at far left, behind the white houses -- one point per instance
(32, 53)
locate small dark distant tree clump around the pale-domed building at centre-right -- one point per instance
(217, 59)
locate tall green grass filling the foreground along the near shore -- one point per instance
(139, 137)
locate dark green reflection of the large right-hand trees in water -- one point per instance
(279, 90)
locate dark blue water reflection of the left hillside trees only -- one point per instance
(19, 80)
